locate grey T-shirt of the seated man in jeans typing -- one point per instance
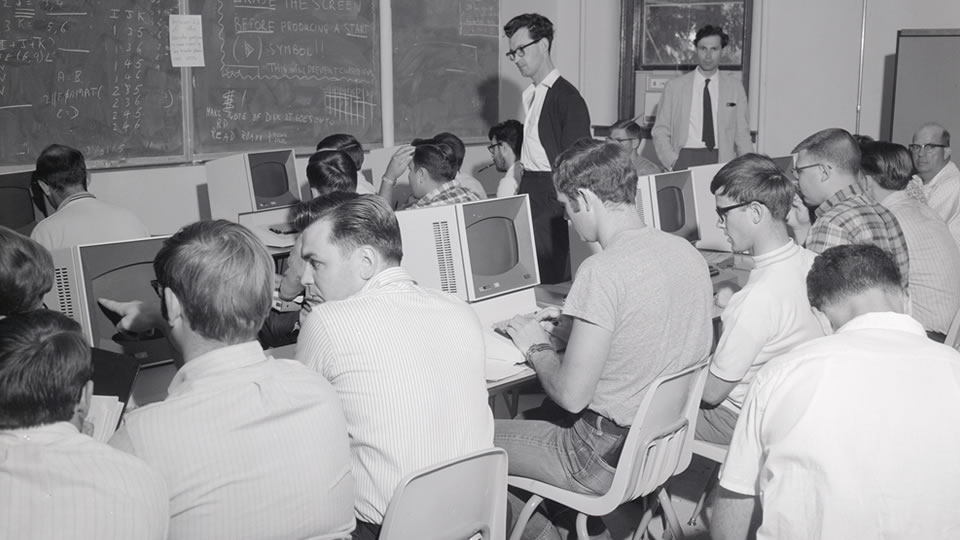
(652, 291)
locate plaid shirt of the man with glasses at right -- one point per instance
(850, 216)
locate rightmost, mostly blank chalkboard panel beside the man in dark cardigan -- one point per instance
(446, 67)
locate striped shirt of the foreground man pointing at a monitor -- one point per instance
(250, 447)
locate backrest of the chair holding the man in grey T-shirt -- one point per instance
(658, 445)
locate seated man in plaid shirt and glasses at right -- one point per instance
(828, 173)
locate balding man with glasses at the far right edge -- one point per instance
(937, 176)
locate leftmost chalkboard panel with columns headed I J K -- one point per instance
(92, 74)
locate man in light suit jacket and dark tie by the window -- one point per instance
(683, 135)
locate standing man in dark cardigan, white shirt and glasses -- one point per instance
(555, 116)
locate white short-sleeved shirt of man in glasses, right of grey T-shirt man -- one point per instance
(768, 317)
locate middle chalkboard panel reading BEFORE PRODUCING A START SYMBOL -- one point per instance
(285, 73)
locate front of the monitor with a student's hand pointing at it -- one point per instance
(122, 271)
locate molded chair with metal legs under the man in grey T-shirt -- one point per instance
(657, 447)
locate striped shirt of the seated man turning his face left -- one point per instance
(408, 364)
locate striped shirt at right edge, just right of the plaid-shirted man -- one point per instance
(934, 262)
